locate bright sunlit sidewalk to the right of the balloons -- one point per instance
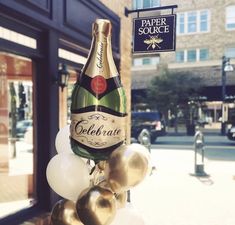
(172, 196)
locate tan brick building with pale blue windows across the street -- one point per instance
(205, 33)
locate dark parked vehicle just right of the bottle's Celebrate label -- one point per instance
(151, 122)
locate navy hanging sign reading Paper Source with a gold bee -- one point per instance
(154, 34)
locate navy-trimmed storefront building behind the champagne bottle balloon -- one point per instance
(38, 38)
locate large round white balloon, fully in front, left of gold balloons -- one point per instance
(68, 175)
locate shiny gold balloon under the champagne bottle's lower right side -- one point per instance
(127, 166)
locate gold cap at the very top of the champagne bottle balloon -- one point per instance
(102, 26)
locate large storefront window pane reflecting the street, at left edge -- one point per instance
(17, 189)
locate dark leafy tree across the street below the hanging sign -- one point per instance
(173, 91)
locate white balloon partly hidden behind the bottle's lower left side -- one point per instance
(62, 140)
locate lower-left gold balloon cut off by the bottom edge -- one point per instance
(64, 213)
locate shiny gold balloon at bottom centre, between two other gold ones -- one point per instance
(96, 206)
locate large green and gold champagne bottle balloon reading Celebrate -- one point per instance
(98, 108)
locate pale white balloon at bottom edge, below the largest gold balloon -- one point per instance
(127, 216)
